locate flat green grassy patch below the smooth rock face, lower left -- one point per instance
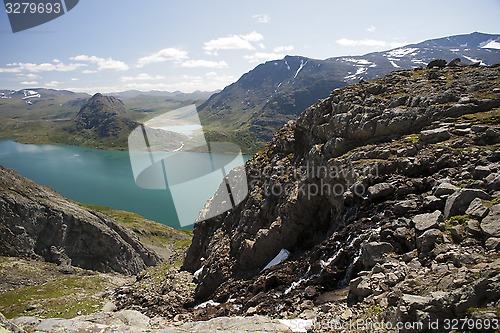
(46, 290)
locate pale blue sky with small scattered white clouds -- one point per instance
(118, 45)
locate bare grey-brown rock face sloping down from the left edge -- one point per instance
(37, 222)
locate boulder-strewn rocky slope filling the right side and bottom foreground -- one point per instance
(382, 202)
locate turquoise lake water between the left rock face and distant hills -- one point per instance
(92, 176)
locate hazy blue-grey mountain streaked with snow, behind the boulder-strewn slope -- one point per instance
(250, 110)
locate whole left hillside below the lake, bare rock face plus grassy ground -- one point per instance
(61, 259)
